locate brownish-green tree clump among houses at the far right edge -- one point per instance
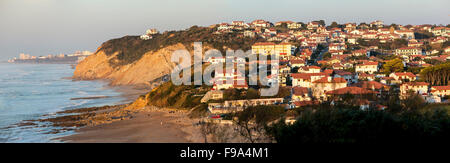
(437, 75)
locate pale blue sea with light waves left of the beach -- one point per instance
(35, 91)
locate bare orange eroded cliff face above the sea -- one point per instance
(151, 66)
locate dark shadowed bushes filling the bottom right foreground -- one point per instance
(328, 124)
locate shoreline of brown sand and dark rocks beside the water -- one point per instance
(119, 123)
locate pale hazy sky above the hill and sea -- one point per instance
(41, 27)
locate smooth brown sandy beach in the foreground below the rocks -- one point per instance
(147, 126)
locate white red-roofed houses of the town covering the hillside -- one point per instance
(320, 63)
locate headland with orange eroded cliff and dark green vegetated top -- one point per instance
(132, 61)
